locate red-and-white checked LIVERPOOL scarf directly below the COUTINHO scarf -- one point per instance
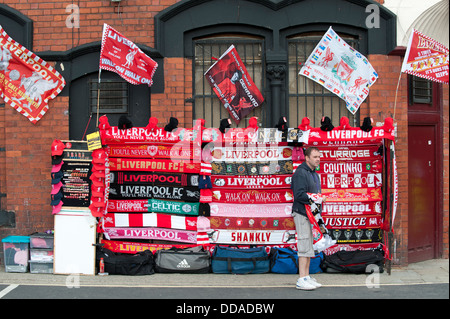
(351, 180)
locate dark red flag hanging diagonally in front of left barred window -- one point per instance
(231, 82)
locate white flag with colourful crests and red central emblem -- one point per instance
(340, 69)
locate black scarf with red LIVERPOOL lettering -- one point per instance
(171, 179)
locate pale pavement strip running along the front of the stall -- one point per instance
(427, 272)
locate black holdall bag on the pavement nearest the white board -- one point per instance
(139, 264)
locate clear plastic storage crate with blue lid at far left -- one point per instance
(16, 253)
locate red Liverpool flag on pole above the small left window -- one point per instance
(120, 55)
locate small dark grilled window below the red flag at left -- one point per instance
(113, 96)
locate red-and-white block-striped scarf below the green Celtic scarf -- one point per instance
(156, 220)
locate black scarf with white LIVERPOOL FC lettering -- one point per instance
(188, 194)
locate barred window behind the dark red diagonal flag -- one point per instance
(206, 103)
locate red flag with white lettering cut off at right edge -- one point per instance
(426, 58)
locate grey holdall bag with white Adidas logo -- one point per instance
(193, 260)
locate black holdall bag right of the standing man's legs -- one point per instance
(355, 262)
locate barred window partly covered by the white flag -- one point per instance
(306, 97)
